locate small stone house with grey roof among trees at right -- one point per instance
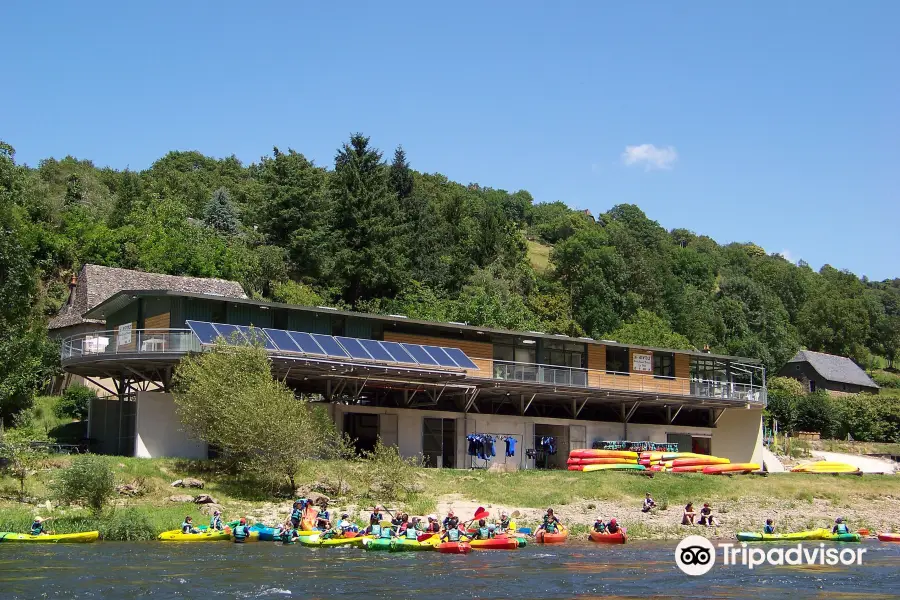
(835, 374)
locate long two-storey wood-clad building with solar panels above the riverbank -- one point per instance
(526, 386)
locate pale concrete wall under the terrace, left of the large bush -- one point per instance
(158, 430)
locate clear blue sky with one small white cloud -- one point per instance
(771, 122)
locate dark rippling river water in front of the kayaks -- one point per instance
(270, 570)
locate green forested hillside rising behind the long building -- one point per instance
(372, 234)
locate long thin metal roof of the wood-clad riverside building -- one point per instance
(125, 297)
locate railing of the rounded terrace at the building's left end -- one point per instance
(135, 341)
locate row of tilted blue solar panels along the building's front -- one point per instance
(337, 347)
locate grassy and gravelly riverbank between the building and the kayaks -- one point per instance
(795, 501)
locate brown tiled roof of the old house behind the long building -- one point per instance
(96, 284)
